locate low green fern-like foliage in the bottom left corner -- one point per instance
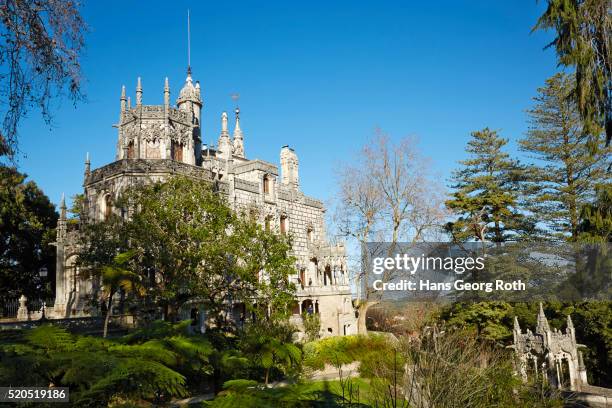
(135, 367)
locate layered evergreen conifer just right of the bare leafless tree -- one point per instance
(486, 192)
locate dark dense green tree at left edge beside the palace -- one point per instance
(27, 228)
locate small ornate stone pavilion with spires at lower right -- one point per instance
(550, 355)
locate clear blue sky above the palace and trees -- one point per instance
(319, 76)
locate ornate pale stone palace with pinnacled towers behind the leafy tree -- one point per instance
(155, 142)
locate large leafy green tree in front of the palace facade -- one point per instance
(188, 245)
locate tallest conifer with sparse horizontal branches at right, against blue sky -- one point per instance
(563, 177)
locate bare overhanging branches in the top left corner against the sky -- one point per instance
(39, 56)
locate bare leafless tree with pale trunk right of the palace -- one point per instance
(387, 194)
